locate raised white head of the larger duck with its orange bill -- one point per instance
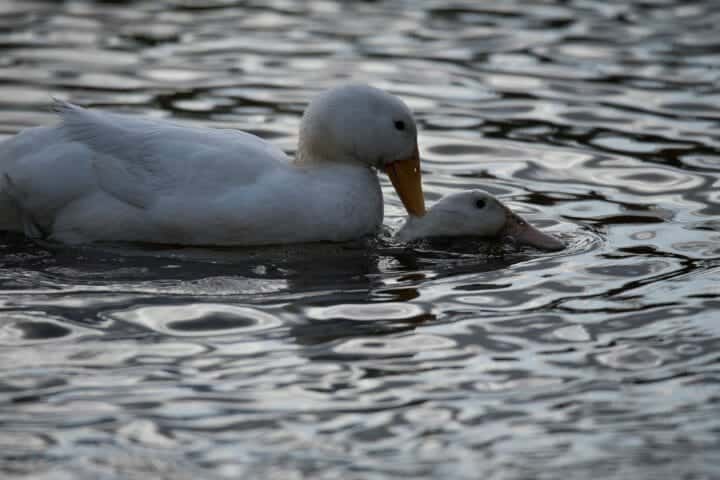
(363, 125)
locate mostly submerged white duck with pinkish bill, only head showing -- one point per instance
(475, 213)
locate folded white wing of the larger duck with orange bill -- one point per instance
(139, 160)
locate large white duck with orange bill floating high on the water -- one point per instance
(107, 177)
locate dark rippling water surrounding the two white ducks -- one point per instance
(597, 120)
